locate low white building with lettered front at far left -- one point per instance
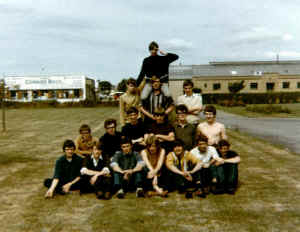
(60, 88)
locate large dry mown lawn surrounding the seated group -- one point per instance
(268, 198)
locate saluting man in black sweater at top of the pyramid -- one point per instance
(155, 65)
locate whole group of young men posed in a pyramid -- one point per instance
(151, 155)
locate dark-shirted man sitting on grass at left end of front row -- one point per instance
(67, 172)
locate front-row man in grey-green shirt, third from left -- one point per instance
(127, 166)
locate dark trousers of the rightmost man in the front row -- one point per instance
(226, 175)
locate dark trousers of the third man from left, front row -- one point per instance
(134, 181)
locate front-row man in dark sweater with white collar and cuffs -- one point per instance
(96, 174)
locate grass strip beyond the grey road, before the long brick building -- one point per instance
(240, 110)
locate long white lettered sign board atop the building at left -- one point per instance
(45, 82)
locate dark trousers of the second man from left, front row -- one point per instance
(103, 183)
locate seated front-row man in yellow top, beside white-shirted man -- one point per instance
(183, 172)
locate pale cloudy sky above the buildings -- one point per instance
(108, 40)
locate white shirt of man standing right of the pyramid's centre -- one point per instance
(195, 100)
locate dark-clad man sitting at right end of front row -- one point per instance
(225, 171)
